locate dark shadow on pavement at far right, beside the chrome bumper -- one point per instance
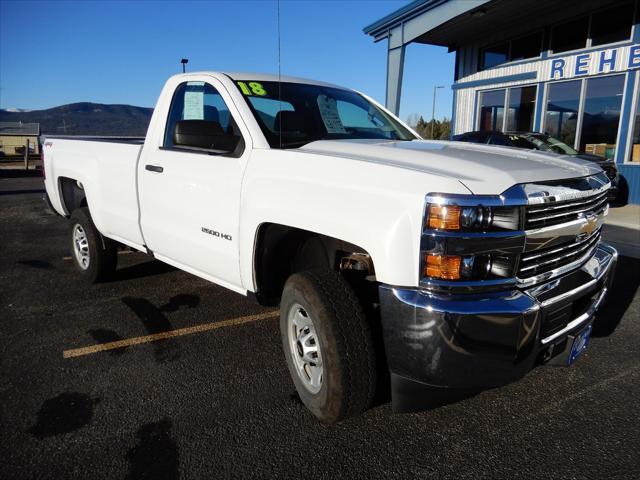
(623, 290)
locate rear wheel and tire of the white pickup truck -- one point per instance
(94, 256)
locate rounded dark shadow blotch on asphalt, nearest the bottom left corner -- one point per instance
(65, 413)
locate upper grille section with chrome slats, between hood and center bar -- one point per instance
(544, 215)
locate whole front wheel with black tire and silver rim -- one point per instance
(328, 345)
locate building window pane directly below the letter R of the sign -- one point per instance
(561, 117)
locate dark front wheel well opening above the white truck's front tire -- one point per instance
(281, 250)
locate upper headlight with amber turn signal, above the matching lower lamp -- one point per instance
(472, 218)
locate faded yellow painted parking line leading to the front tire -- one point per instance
(102, 347)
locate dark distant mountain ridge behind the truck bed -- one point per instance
(86, 119)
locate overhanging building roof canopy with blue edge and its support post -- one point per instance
(452, 23)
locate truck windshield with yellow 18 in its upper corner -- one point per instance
(293, 114)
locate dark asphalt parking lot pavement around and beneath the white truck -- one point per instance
(214, 399)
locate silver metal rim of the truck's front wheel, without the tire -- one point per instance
(305, 348)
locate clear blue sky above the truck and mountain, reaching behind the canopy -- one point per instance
(58, 52)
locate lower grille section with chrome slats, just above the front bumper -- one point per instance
(545, 260)
